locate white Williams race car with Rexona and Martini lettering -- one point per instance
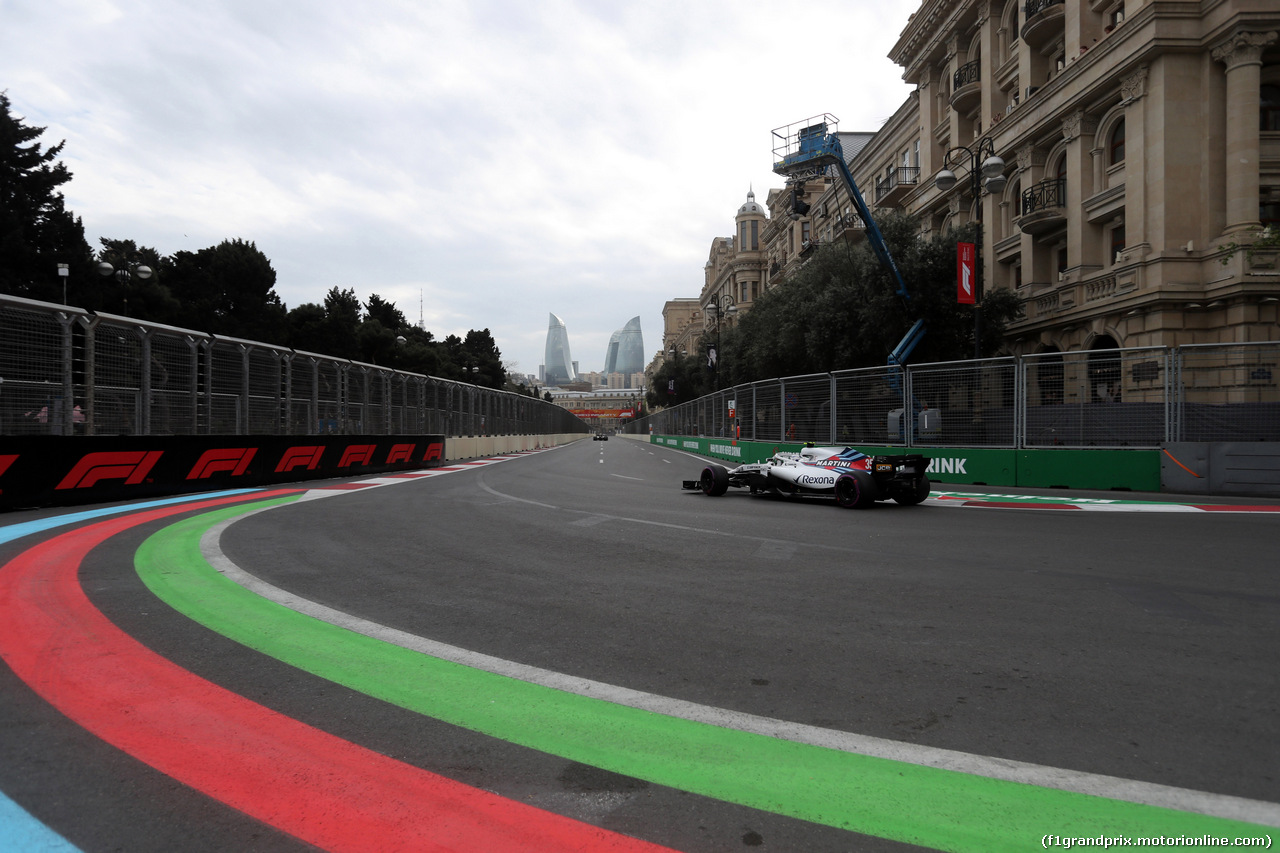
(856, 480)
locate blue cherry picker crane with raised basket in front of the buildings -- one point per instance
(807, 150)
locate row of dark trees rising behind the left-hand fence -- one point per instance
(228, 290)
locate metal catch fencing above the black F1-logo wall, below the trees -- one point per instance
(68, 372)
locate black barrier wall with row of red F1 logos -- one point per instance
(56, 471)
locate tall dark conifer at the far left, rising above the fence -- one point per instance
(36, 230)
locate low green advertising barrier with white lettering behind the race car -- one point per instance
(1136, 471)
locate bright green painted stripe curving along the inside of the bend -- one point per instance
(926, 806)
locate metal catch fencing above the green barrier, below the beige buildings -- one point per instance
(1137, 398)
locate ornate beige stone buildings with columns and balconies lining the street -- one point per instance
(1141, 148)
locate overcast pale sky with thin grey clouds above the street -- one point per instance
(491, 161)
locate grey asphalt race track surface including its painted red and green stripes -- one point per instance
(564, 651)
